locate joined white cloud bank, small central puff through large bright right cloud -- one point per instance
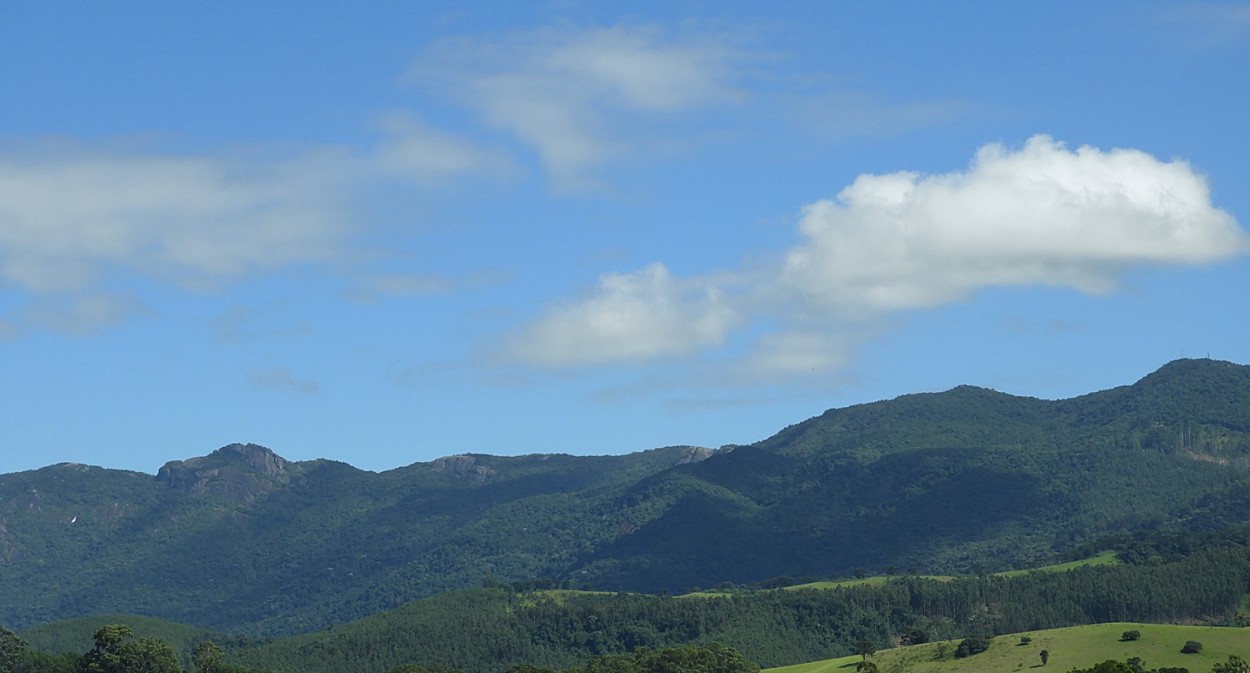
(1039, 216)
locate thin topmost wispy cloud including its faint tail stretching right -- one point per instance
(584, 98)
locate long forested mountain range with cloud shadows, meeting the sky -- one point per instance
(968, 478)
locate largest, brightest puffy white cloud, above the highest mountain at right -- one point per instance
(1043, 215)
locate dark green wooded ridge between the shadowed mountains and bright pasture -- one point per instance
(492, 630)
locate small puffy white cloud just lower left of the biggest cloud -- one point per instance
(629, 318)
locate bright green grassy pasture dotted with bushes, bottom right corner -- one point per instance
(1073, 647)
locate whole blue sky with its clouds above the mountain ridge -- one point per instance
(388, 232)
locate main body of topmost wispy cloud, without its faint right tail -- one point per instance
(579, 97)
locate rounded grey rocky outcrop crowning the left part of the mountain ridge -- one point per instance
(239, 472)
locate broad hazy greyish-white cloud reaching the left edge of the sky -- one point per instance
(77, 220)
